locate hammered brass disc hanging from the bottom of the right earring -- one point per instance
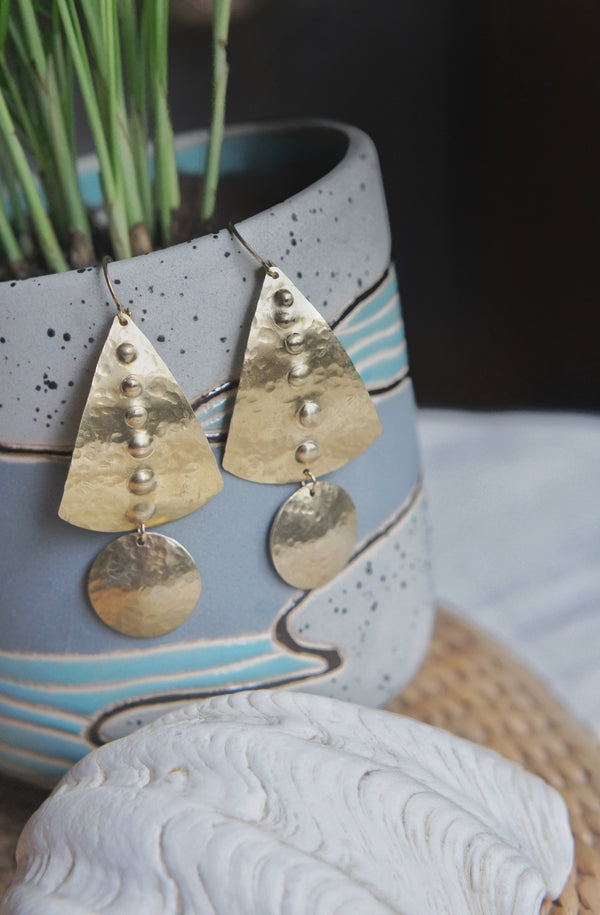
(313, 535)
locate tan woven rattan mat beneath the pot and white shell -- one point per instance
(474, 688)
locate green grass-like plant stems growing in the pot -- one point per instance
(115, 52)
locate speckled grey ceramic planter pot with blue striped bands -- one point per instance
(68, 681)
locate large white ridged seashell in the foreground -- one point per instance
(280, 802)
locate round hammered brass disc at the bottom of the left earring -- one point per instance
(144, 589)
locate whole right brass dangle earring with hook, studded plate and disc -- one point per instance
(301, 409)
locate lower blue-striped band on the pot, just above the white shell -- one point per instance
(47, 702)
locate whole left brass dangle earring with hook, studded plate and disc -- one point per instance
(140, 459)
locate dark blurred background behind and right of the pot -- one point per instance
(485, 116)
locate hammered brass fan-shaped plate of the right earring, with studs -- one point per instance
(300, 402)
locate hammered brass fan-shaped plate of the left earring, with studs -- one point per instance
(140, 456)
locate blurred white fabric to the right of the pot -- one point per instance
(514, 501)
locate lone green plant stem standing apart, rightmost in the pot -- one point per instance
(221, 16)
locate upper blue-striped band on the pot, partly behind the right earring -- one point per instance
(373, 335)
